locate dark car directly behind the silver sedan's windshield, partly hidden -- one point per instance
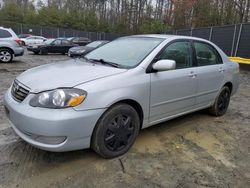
(82, 50)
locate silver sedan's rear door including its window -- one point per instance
(210, 73)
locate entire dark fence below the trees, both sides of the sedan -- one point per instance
(234, 40)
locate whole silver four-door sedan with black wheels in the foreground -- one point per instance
(103, 100)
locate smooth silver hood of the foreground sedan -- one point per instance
(65, 74)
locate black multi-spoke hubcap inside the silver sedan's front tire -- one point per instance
(119, 133)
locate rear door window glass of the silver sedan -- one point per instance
(206, 54)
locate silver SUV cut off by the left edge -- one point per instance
(9, 45)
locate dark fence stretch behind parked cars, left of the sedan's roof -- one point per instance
(52, 32)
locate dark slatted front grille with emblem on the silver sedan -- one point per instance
(19, 93)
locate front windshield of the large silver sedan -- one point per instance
(127, 51)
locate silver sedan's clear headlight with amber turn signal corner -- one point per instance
(59, 98)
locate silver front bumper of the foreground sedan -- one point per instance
(28, 122)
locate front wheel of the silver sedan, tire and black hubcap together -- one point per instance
(116, 131)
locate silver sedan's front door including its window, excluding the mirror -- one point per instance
(173, 92)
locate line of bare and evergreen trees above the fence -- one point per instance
(125, 16)
